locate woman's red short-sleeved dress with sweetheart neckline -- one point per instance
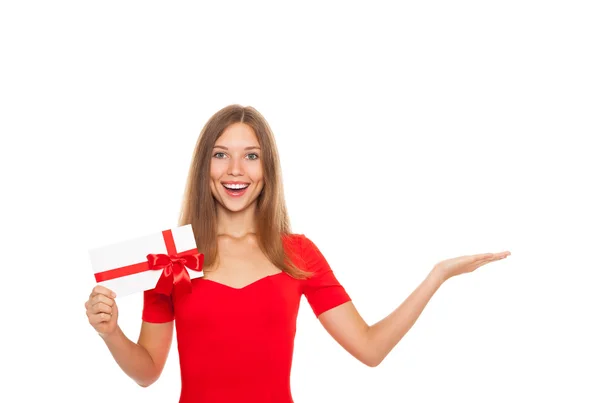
(236, 345)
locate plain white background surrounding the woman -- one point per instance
(409, 134)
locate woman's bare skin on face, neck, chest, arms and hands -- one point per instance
(236, 157)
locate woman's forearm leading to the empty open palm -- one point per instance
(383, 336)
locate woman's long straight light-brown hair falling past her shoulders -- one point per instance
(199, 207)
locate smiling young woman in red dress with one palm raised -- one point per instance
(235, 330)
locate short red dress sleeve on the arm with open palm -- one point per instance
(322, 290)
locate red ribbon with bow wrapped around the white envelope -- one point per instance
(173, 265)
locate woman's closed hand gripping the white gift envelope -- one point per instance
(102, 311)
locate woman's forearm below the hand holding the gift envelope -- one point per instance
(133, 358)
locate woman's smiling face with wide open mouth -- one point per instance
(235, 169)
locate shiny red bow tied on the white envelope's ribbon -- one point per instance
(174, 271)
